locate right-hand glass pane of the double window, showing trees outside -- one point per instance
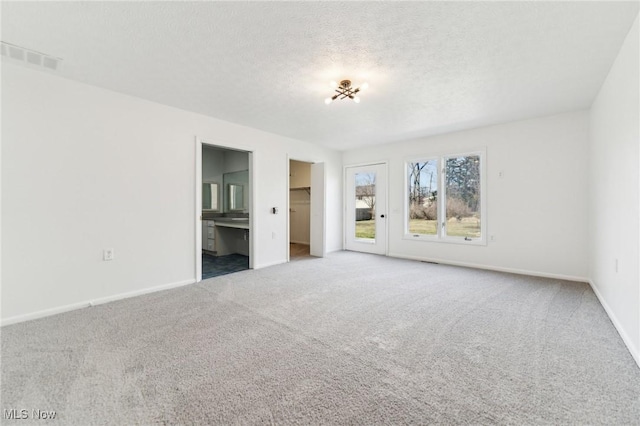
(463, 196)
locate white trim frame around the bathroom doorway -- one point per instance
(199, 144)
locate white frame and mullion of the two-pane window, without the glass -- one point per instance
(441, 236)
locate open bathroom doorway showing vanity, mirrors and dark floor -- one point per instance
(224, 198)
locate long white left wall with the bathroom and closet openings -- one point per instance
(85, 169)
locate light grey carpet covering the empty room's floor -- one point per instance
(347, 339)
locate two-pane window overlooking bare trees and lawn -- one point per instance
(444, 198)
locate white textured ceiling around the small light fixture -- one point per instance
(432, 67)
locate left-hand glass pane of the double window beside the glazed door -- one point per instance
(423, 197)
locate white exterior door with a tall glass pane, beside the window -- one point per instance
(366, 208)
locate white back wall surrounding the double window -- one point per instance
(536, 211)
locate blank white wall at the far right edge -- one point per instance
(614, 215)
